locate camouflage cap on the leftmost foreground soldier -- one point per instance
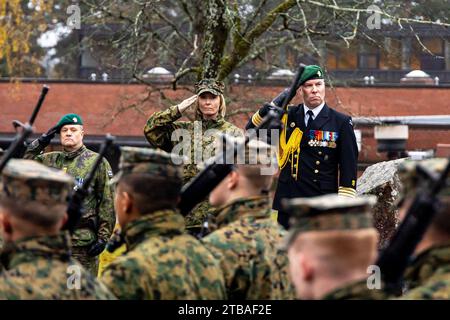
(28, 180)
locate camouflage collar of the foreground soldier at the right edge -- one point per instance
(428, 263)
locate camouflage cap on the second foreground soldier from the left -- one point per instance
(152, 162)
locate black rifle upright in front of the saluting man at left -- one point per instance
(75, 208)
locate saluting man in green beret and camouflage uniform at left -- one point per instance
(93, 231)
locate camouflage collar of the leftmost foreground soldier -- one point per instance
(28, 249)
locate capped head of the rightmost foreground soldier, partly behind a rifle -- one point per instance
(414, 181)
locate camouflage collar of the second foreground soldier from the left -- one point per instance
(163, 222)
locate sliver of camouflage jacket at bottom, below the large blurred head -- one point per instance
(357, 290)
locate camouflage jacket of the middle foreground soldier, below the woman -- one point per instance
(246, 243)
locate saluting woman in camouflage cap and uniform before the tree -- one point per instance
(163, 131)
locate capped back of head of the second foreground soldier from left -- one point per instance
(153, 178)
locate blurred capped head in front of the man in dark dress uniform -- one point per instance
(336, 232)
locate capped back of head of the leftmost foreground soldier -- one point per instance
(34, 193)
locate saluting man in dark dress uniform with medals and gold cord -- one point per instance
(318, 152)
